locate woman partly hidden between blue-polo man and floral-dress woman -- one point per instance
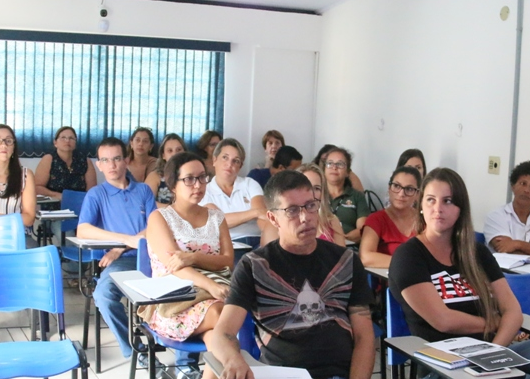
(171, 144)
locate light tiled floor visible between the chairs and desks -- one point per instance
(15, 327)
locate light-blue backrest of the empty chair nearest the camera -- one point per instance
(31, 279)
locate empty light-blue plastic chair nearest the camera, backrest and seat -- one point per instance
(32, 279)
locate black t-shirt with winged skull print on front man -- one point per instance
(300, 305)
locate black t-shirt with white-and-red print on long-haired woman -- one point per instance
(412, 263)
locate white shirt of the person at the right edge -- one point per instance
(504, 222)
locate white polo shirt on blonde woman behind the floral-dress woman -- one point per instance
(244, 190)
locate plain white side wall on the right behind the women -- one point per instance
(433, 75)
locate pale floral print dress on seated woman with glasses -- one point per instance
(202, 240)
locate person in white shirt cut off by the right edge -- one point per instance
(507, 229)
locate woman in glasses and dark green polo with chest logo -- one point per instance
(348, 204)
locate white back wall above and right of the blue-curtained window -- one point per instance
(258, 95)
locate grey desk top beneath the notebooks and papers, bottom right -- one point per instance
(410, 344)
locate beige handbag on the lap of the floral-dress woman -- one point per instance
(168, 310)
